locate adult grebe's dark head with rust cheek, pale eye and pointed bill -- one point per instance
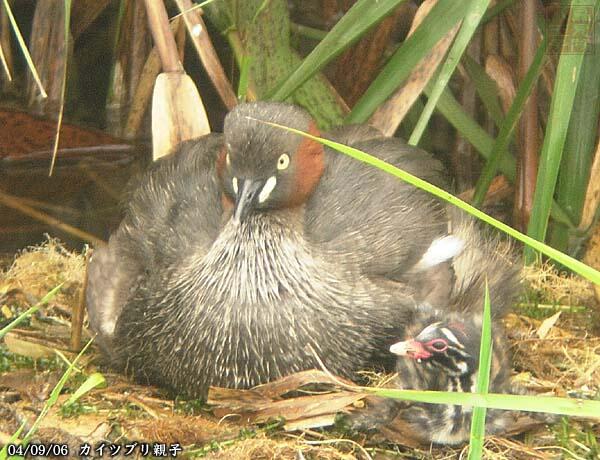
(264, 167)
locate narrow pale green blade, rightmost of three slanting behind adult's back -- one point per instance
(470, 23)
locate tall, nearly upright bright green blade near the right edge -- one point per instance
(565, 86)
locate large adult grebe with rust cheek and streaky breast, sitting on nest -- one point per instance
(242, 256)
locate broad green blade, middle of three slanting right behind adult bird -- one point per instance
(442, 17)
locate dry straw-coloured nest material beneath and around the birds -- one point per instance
(571, 361)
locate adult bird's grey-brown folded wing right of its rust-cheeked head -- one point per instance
(382, 223)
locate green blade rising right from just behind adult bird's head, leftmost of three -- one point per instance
(363, 15)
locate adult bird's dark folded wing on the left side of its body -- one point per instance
(174, 209)
